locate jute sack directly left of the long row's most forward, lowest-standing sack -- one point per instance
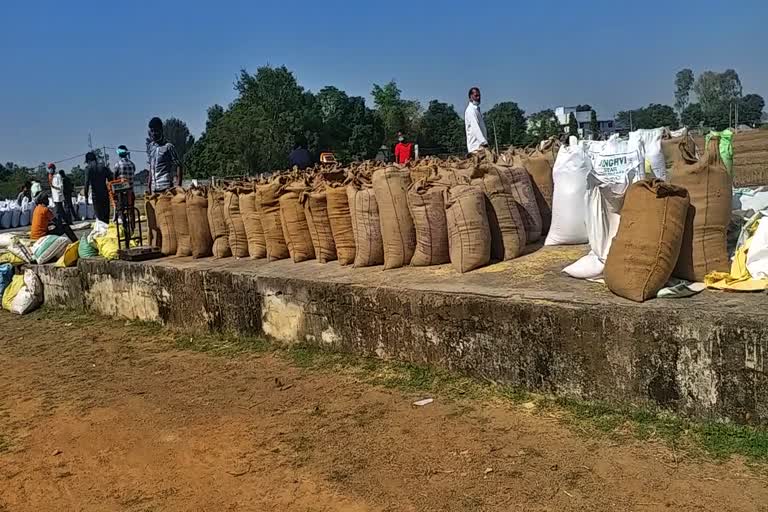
(426, 201)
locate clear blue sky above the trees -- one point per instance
(70, 68)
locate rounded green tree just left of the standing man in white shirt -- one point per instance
(441, 129)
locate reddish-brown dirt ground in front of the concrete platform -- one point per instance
(100, 415)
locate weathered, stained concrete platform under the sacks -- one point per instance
(520, 322)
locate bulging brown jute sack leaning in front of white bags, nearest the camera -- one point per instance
(646, 248)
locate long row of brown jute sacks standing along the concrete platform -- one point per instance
(466, 212)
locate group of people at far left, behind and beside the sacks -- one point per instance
(165, 172)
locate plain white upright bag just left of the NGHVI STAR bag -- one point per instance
(568, 200)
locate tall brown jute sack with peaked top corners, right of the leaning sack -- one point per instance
(710, 188)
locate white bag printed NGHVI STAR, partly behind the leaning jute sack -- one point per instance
(615, 165)
